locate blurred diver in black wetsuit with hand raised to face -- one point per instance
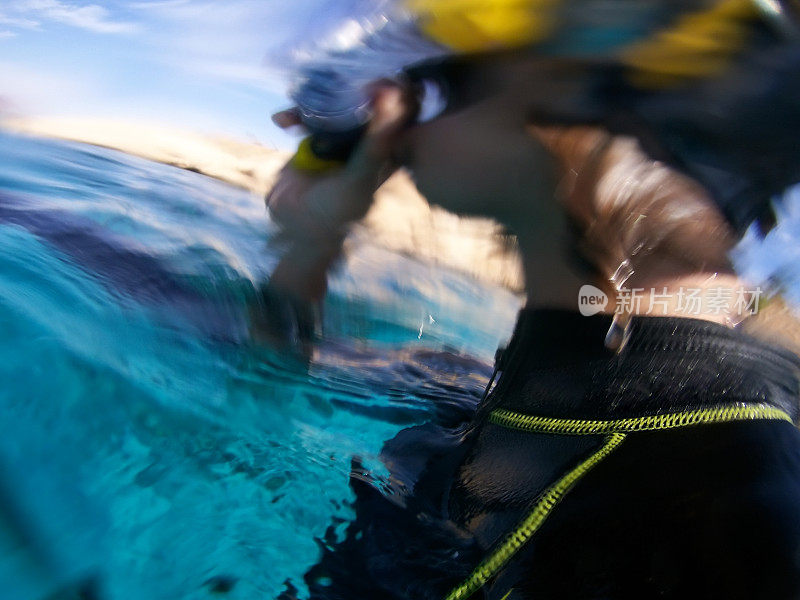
(645, 451)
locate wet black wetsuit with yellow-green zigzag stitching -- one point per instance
(670, 501)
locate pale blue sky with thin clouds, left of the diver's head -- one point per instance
(204, 65)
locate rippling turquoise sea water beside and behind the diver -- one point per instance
(147, 445)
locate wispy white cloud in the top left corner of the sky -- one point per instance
(91, 17)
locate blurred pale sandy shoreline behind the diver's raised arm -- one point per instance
(400, 220)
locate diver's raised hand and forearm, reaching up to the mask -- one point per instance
(314, 210)
